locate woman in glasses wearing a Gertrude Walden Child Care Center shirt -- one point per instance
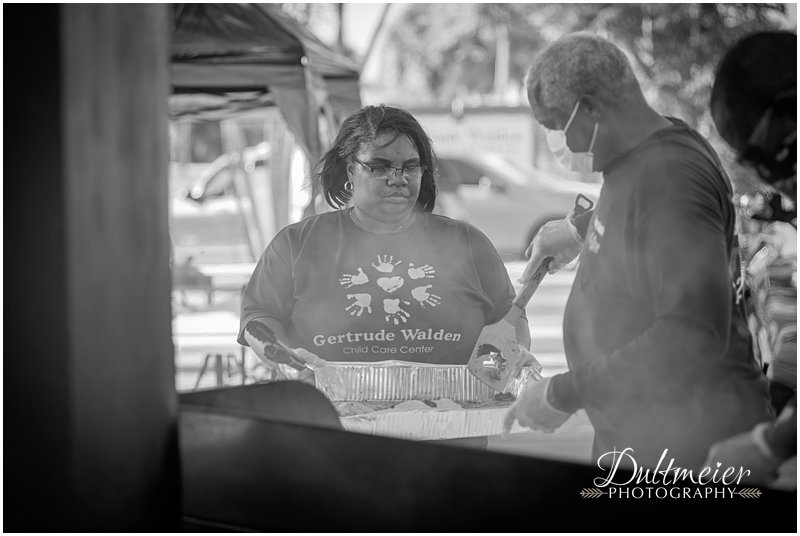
(381, 278)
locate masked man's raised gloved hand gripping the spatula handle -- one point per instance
(558, 239)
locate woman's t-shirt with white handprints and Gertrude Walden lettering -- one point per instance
(346, 294)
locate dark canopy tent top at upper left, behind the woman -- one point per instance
(228, 58)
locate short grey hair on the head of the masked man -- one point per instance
(576, 65)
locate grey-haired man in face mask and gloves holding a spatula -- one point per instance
(655, 336)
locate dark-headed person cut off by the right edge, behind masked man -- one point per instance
(754, 106)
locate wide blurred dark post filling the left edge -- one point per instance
(91, 410)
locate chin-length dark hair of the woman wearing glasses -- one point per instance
(362, 128)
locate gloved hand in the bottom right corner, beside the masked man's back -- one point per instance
(749, 451)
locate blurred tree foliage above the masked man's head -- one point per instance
(673, 47)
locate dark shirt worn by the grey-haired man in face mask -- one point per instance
(657, 343)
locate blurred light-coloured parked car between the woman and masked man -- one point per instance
(506, 200)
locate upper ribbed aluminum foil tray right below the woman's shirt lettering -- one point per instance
(399, 380)
